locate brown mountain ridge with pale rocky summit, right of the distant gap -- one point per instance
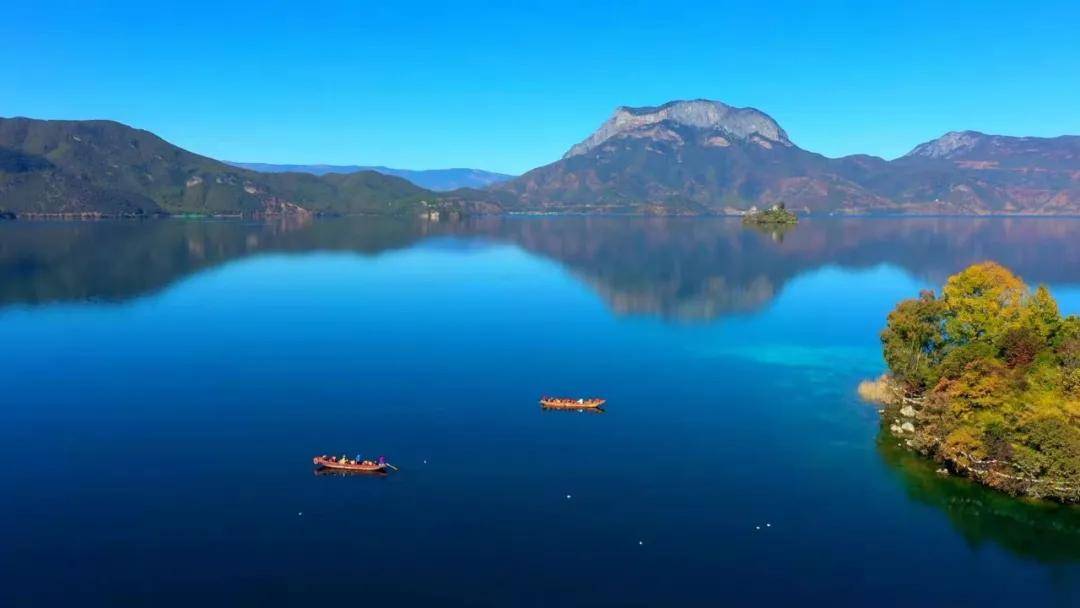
(701, 157)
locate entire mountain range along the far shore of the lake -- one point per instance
(683, 158)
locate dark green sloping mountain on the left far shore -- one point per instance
(105, 168)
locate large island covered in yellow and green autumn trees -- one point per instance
(985, 380)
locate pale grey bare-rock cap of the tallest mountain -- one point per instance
(737, 124)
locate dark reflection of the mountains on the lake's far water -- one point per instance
(676, 268)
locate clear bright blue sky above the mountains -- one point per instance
(508, 87)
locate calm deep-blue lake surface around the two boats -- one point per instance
(166, 385)
